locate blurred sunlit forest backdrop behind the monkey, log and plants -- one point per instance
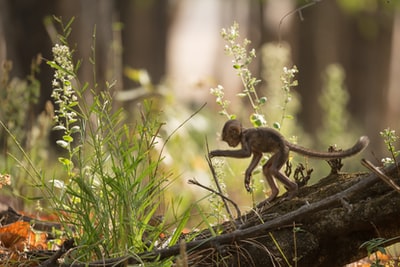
(171, 53)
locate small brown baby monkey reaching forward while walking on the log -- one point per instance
(261, 140)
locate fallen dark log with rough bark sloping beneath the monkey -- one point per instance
(324, 226)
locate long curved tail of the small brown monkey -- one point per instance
(358, 147)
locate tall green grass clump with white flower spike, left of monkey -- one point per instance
(113, 183)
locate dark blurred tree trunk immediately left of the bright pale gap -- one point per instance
(144, 36)
